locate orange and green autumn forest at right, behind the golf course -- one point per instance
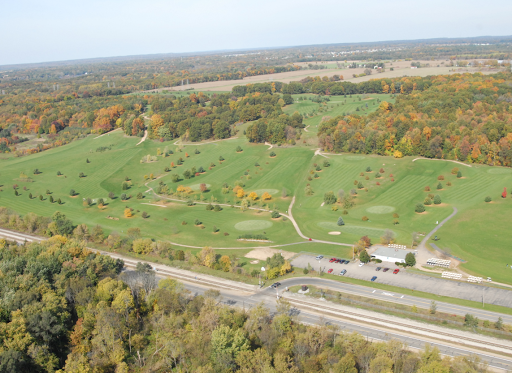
(466, 117)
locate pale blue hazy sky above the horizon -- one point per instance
(56, 30)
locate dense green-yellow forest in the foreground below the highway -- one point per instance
(64, 307)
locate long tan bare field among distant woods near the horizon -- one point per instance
(401, 68)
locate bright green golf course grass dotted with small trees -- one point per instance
(477, 234)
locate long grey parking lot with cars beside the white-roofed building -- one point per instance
(414, 281)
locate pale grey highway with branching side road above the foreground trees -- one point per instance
(310, 311)
